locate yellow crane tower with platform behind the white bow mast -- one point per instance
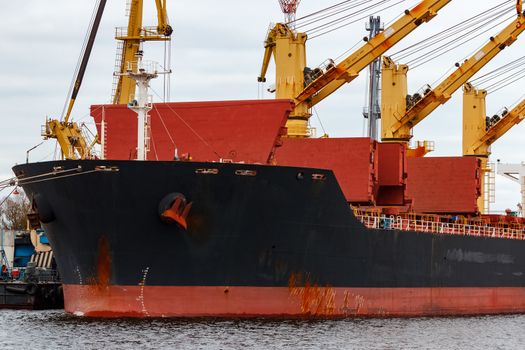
(130, 40)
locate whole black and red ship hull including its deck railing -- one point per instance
(173, 238)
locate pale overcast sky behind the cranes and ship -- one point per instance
(216, 54)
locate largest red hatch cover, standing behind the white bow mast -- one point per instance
(237, 130)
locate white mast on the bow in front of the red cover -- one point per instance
(142, 72)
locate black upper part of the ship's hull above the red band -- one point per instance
(248, 226)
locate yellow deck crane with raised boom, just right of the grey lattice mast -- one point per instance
(400, 114)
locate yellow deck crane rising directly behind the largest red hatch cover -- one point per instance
(309, 87)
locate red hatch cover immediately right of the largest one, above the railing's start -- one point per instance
(352, 160)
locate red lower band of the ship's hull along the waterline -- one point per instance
(315, 302)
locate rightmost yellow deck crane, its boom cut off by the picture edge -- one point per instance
(480, 131)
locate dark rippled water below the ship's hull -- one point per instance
(55, 330)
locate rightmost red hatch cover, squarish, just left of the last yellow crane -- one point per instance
(444, 184)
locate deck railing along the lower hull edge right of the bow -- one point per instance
(419, 225)
